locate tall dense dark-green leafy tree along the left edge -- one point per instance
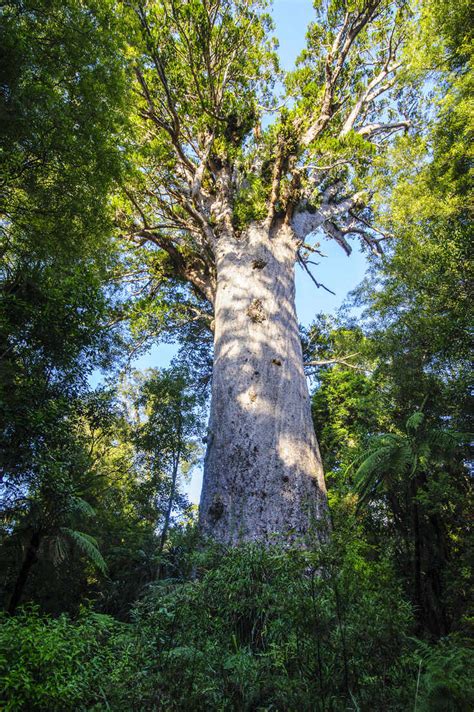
(61, 105)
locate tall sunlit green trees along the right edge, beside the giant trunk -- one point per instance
(411, 348)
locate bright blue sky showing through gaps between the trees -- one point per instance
(337, 271)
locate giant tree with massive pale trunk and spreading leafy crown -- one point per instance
(229, 209)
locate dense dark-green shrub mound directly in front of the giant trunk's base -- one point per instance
(269, 629)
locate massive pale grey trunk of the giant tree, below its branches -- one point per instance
(263, 478)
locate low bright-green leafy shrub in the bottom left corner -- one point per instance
(54, 664)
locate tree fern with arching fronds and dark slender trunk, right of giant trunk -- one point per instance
(401, 465)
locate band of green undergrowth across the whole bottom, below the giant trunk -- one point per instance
(256, 630)
